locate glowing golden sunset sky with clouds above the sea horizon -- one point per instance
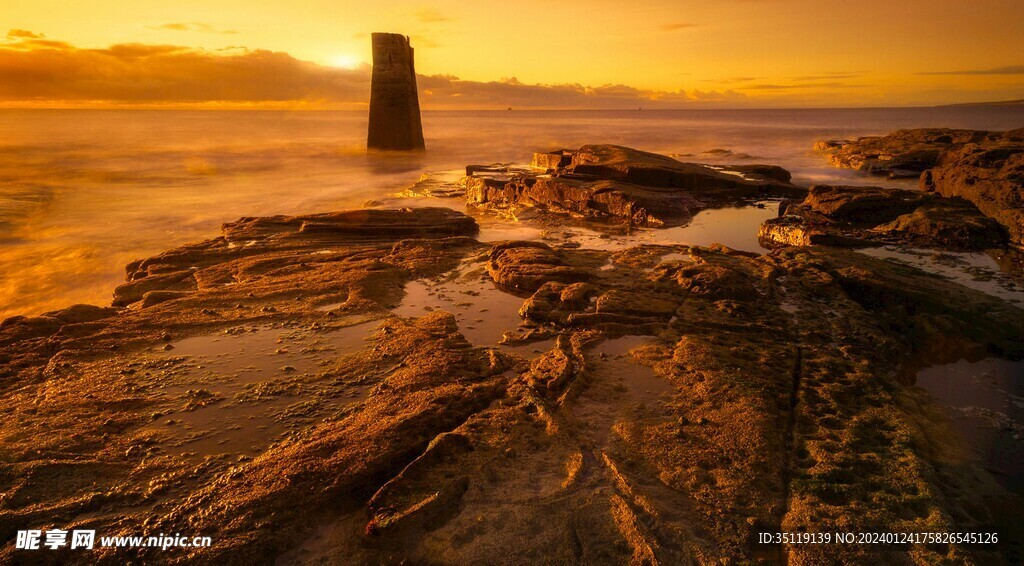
(601, 54)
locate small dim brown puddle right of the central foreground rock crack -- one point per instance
(617, 386)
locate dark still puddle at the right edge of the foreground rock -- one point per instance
(986, 401)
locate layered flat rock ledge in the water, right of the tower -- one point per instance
(619, 184)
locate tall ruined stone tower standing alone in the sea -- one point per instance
(395, 106)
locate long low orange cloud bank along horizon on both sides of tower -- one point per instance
(34, 70)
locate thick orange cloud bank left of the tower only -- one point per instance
(33, 70)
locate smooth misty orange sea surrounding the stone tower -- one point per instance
(82, 193)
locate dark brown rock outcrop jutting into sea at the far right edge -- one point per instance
(986, 168)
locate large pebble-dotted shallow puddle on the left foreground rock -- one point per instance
(241, 390)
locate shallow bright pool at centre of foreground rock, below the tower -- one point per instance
(483, 312)
